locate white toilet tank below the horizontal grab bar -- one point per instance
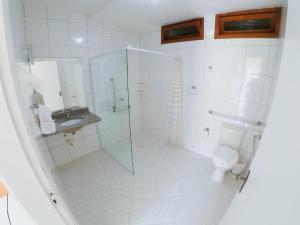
(231, 135)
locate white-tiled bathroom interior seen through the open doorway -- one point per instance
(148, 121)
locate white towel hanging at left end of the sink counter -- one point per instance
(47, 124)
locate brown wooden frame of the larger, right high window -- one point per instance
(270, 13)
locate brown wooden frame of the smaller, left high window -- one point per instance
(199, 23)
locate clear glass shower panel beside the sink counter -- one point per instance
(111, 98)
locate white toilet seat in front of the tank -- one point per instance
(225, 156)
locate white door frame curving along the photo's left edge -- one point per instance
(15, 166)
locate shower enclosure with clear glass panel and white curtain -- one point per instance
(136, 91)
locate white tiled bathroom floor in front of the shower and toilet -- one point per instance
(170, 187)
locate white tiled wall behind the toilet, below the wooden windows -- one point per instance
(234, 76)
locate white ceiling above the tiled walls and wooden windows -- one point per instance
(146, 15)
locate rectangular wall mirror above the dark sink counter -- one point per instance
(59, 81)
